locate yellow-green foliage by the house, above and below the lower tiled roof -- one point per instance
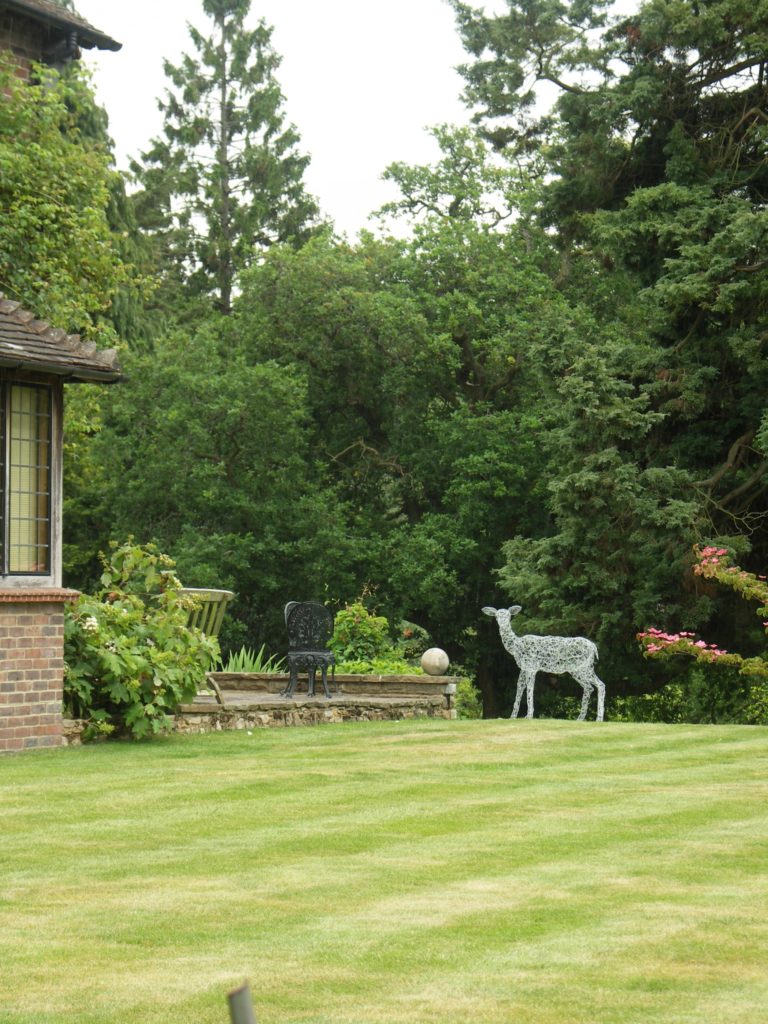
(69, 253)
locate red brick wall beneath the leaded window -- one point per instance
(32, 668)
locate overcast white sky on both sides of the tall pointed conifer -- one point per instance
(363, 79)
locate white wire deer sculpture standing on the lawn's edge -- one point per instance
(577, 656)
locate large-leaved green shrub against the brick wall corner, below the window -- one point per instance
(130, 657)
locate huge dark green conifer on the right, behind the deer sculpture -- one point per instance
(656, 201)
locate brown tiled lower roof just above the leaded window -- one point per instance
(29, 345)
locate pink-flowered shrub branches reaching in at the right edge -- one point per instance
(713, 564)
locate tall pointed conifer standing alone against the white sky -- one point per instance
(226, 180)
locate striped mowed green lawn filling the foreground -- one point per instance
(483, 873)
